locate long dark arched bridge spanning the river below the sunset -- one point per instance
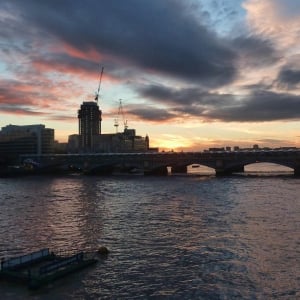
(223, 162)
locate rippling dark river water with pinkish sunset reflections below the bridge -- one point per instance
(170, 237)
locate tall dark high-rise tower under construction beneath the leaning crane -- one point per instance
(90, 119)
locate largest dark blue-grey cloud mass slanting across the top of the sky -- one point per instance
(157, 35)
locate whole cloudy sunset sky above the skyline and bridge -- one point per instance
(191, 74)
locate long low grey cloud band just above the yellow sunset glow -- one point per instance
(255, 107)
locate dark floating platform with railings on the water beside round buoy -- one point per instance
(41, 267)
